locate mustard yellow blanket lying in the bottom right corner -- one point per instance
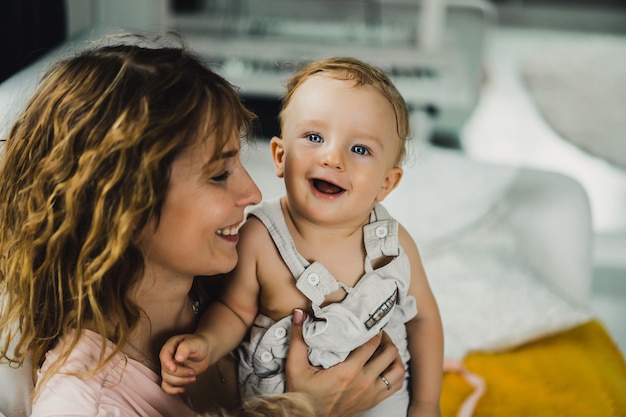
(579, 372)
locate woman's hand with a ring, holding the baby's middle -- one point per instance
(351, 387)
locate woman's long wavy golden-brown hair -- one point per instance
(85, 168)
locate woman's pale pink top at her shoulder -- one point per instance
(124, 387)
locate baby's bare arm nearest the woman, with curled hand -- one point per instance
(222, 326)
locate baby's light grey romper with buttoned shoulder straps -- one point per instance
(379, 299)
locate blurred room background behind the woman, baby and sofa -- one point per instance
(530, 83)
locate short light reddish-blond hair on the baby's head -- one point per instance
(363, 74)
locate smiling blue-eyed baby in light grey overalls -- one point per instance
(328, 247)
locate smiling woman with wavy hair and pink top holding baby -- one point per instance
(121, 183)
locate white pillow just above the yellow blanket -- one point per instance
(489, 297)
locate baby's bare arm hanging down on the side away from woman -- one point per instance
(425, 337)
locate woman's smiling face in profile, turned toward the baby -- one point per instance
(197, 231)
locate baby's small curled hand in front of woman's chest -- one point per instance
(183, 357)
